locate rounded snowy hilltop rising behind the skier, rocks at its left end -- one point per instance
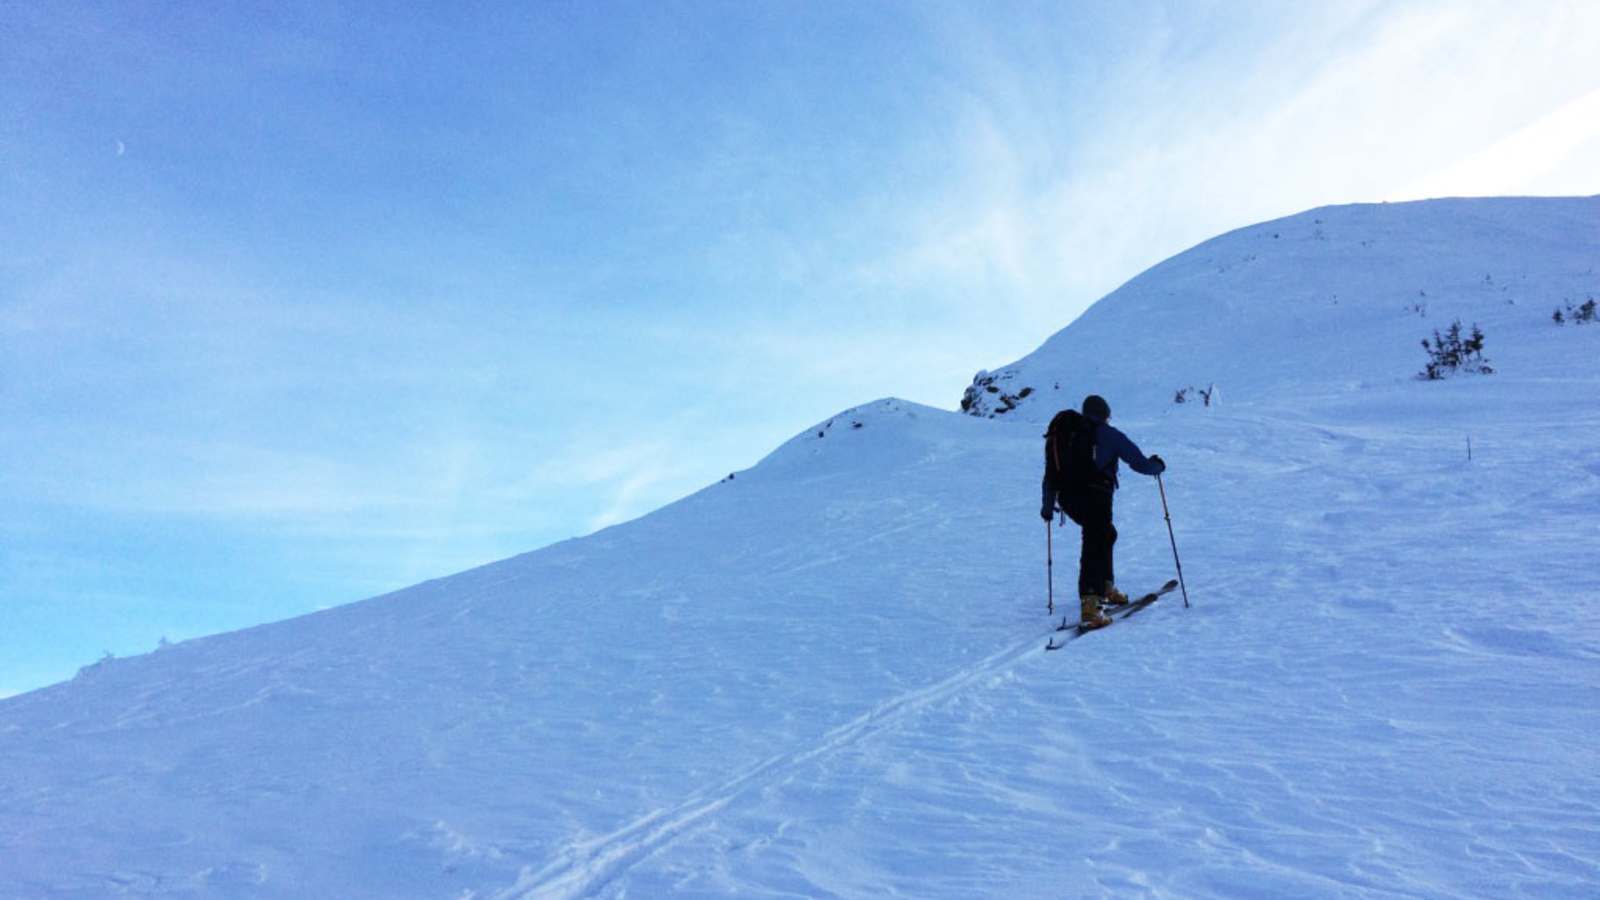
(1335, 297)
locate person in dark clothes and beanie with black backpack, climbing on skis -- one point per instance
(1081, 475)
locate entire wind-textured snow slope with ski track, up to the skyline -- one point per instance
(828, 677)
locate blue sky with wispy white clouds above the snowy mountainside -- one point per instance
(305, 305)
